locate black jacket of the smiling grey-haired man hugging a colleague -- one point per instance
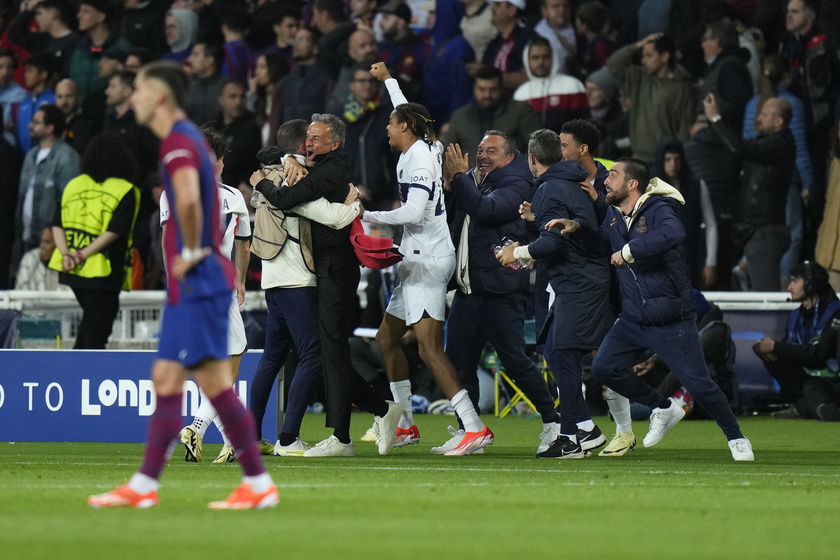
(328, 178)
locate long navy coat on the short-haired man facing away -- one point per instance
(578, 273)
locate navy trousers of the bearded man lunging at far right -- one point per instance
(678, 345)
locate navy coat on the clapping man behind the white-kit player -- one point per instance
(494, 214)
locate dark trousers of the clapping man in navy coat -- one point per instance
(475, 320)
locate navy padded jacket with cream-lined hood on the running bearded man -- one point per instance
(655, 284)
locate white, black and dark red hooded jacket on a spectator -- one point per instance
(556, 98)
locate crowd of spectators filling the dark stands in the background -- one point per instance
(638, 69)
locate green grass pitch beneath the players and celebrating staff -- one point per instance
(685, 498)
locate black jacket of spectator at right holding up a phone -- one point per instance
(769, 162)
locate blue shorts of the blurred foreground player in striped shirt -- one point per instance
(194, 331)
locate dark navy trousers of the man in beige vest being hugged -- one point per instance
(292, 319)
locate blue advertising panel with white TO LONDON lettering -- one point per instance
(101, 396)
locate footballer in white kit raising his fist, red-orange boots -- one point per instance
(419, 300)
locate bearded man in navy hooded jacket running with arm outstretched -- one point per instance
(645, 236)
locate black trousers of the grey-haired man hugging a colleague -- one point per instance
(338, 279)
